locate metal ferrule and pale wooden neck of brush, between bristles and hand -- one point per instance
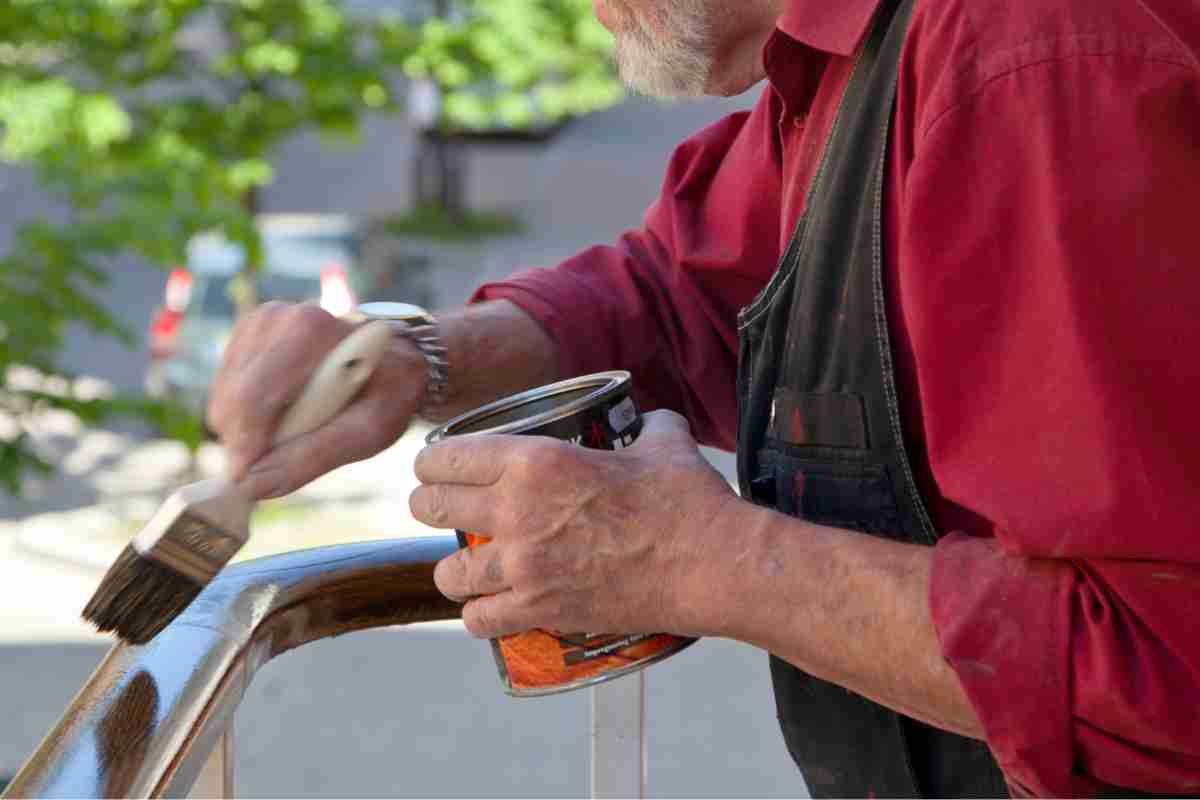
(197, 531)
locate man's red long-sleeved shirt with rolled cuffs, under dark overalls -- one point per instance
(1042, 219)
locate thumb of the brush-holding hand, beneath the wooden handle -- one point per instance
(371, 423)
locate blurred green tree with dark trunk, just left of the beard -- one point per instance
(499, 71)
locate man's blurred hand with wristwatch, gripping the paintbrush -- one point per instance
(267, 364)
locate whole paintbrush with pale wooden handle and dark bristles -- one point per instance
(202, 526)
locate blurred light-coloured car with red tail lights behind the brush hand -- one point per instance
(334, 261)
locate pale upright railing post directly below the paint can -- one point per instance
(619, 738)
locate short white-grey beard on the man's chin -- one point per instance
(675, 65)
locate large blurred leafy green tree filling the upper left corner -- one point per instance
(151, 122)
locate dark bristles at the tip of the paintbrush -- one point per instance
(140, 598)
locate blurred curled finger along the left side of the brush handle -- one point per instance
(272, 381)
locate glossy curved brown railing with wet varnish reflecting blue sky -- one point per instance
(153, 718)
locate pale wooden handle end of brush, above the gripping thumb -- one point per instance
(335, 383)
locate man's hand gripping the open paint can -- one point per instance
(584, 540)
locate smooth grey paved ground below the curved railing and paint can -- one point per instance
(419, 713)
